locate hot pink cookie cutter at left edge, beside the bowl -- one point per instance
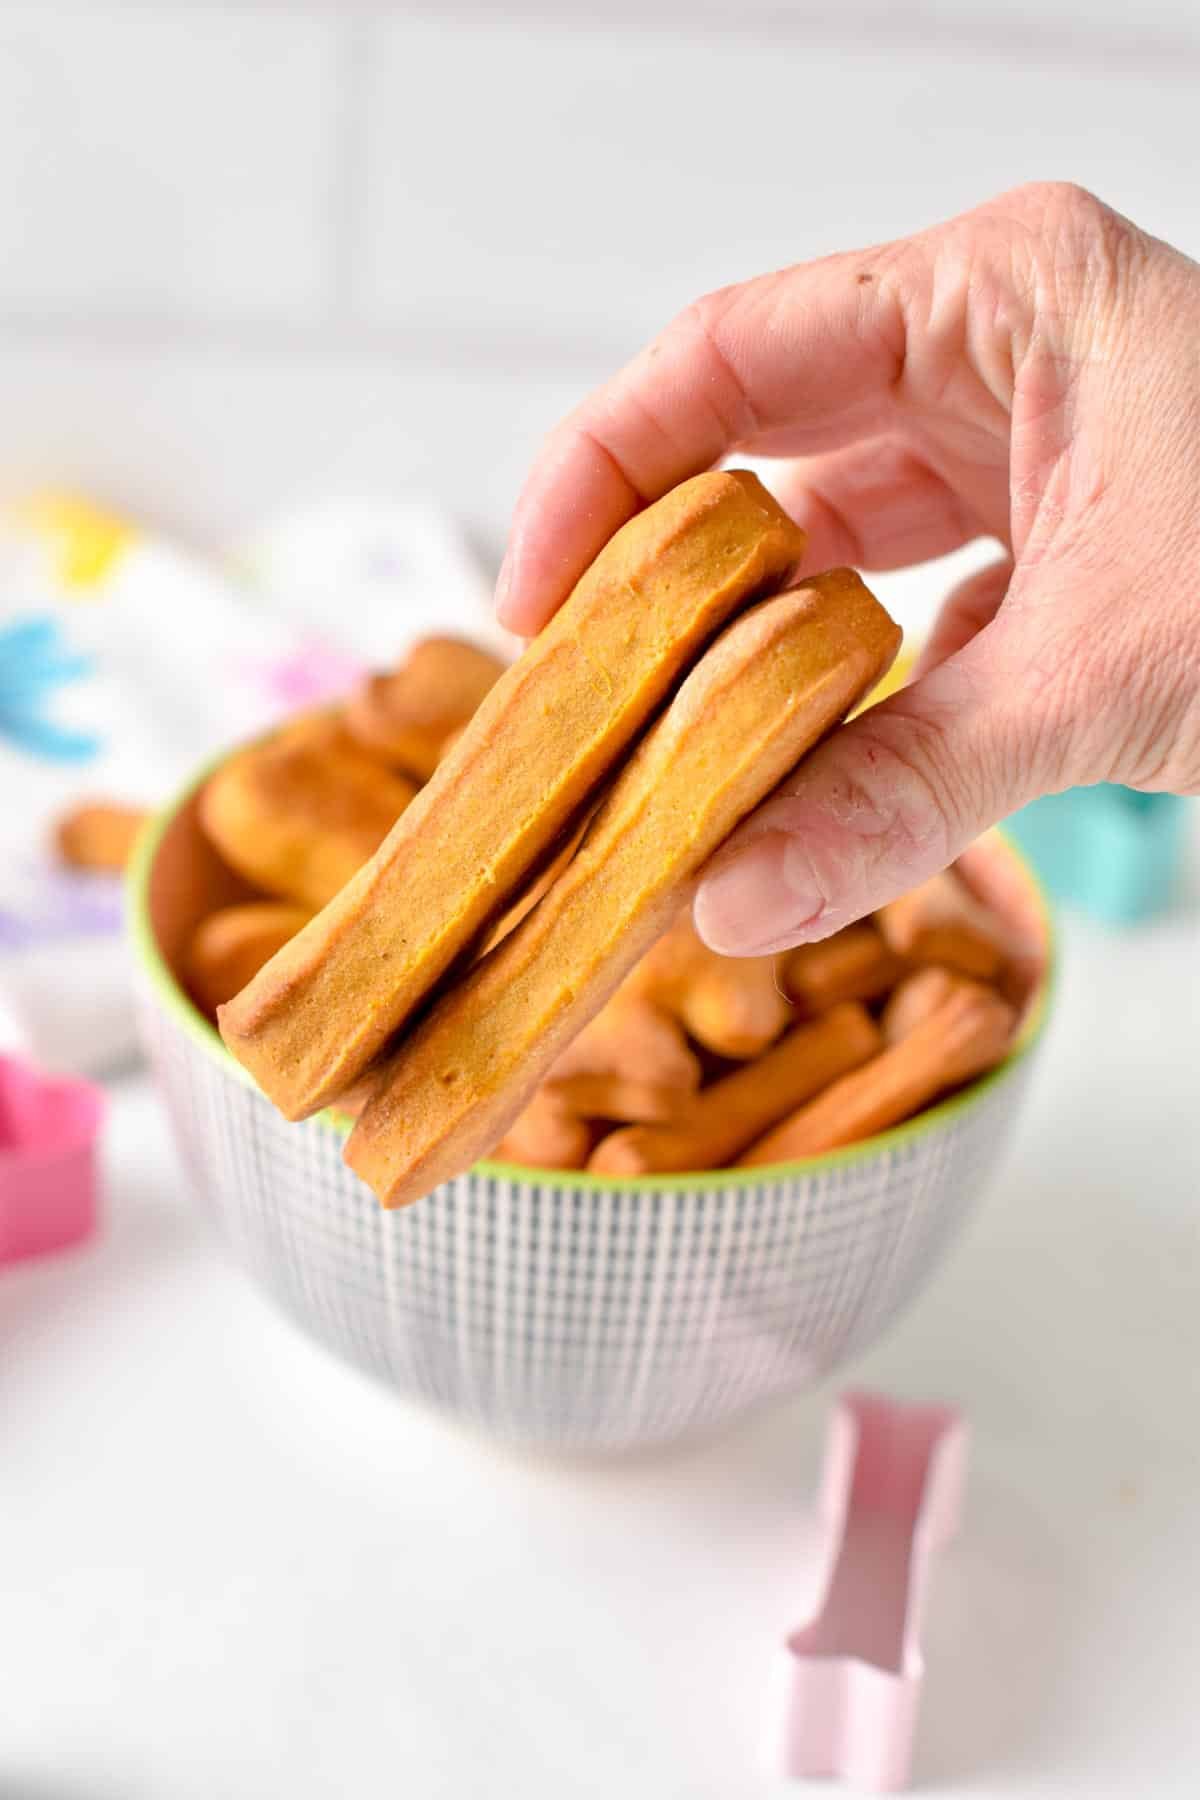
(48, 1160)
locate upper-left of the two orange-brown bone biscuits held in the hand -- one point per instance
(539, 746)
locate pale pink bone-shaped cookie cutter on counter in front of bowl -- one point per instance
(846, 1687)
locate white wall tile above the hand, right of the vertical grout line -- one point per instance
(602, 184)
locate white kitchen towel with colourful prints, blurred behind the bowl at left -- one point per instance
(129, 661)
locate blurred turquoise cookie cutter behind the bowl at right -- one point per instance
(1107, 850)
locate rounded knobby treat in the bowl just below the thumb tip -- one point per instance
(728, 1003)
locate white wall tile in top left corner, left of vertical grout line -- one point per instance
(175, 163)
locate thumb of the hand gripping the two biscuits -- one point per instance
(879, 807)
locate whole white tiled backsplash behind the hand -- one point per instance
(260, 251)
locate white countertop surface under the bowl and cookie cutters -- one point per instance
(233, 1567)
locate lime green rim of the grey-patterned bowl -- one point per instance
(195, 1027)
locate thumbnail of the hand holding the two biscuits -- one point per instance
(764, 901)
